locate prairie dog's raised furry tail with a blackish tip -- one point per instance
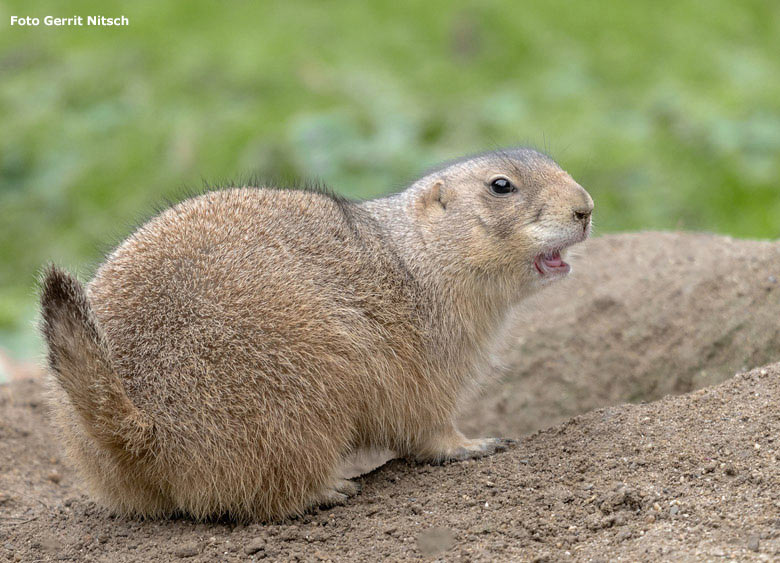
(79, 361)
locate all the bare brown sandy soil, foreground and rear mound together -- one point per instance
(688, 477)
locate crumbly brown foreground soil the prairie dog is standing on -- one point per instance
(688, 477)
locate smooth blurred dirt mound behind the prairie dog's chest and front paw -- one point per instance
(643, 315)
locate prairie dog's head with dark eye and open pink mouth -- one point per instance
(511, 212)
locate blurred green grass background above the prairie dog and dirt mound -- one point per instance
(668, 112)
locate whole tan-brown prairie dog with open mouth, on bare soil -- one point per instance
(232, 351)
